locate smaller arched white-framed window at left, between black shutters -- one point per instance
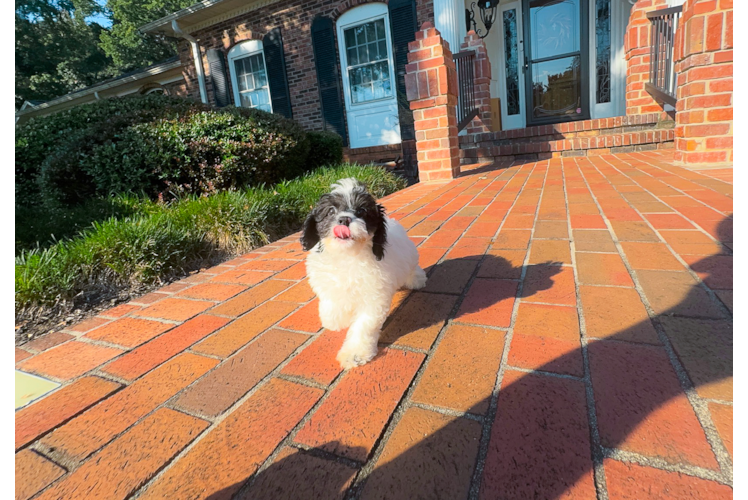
(249, 76)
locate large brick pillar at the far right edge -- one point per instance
(703, 63)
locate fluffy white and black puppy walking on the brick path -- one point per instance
(358, 258)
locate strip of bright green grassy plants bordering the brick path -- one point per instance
(159, 240)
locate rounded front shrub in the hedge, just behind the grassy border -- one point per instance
(199, 152)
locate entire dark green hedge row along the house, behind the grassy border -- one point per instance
(161, 147)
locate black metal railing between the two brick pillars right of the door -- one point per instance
(662, 79)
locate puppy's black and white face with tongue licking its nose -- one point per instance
(346, 219)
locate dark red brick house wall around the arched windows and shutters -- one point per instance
(294, 17)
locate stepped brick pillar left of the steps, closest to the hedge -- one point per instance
(431, 86)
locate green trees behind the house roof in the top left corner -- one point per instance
(59, 49)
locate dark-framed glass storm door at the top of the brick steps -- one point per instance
(556, 79)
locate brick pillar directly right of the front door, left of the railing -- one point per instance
(636, 48)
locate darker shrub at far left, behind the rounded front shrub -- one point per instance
(38, 139)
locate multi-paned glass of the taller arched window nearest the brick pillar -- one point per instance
(368, 62)
